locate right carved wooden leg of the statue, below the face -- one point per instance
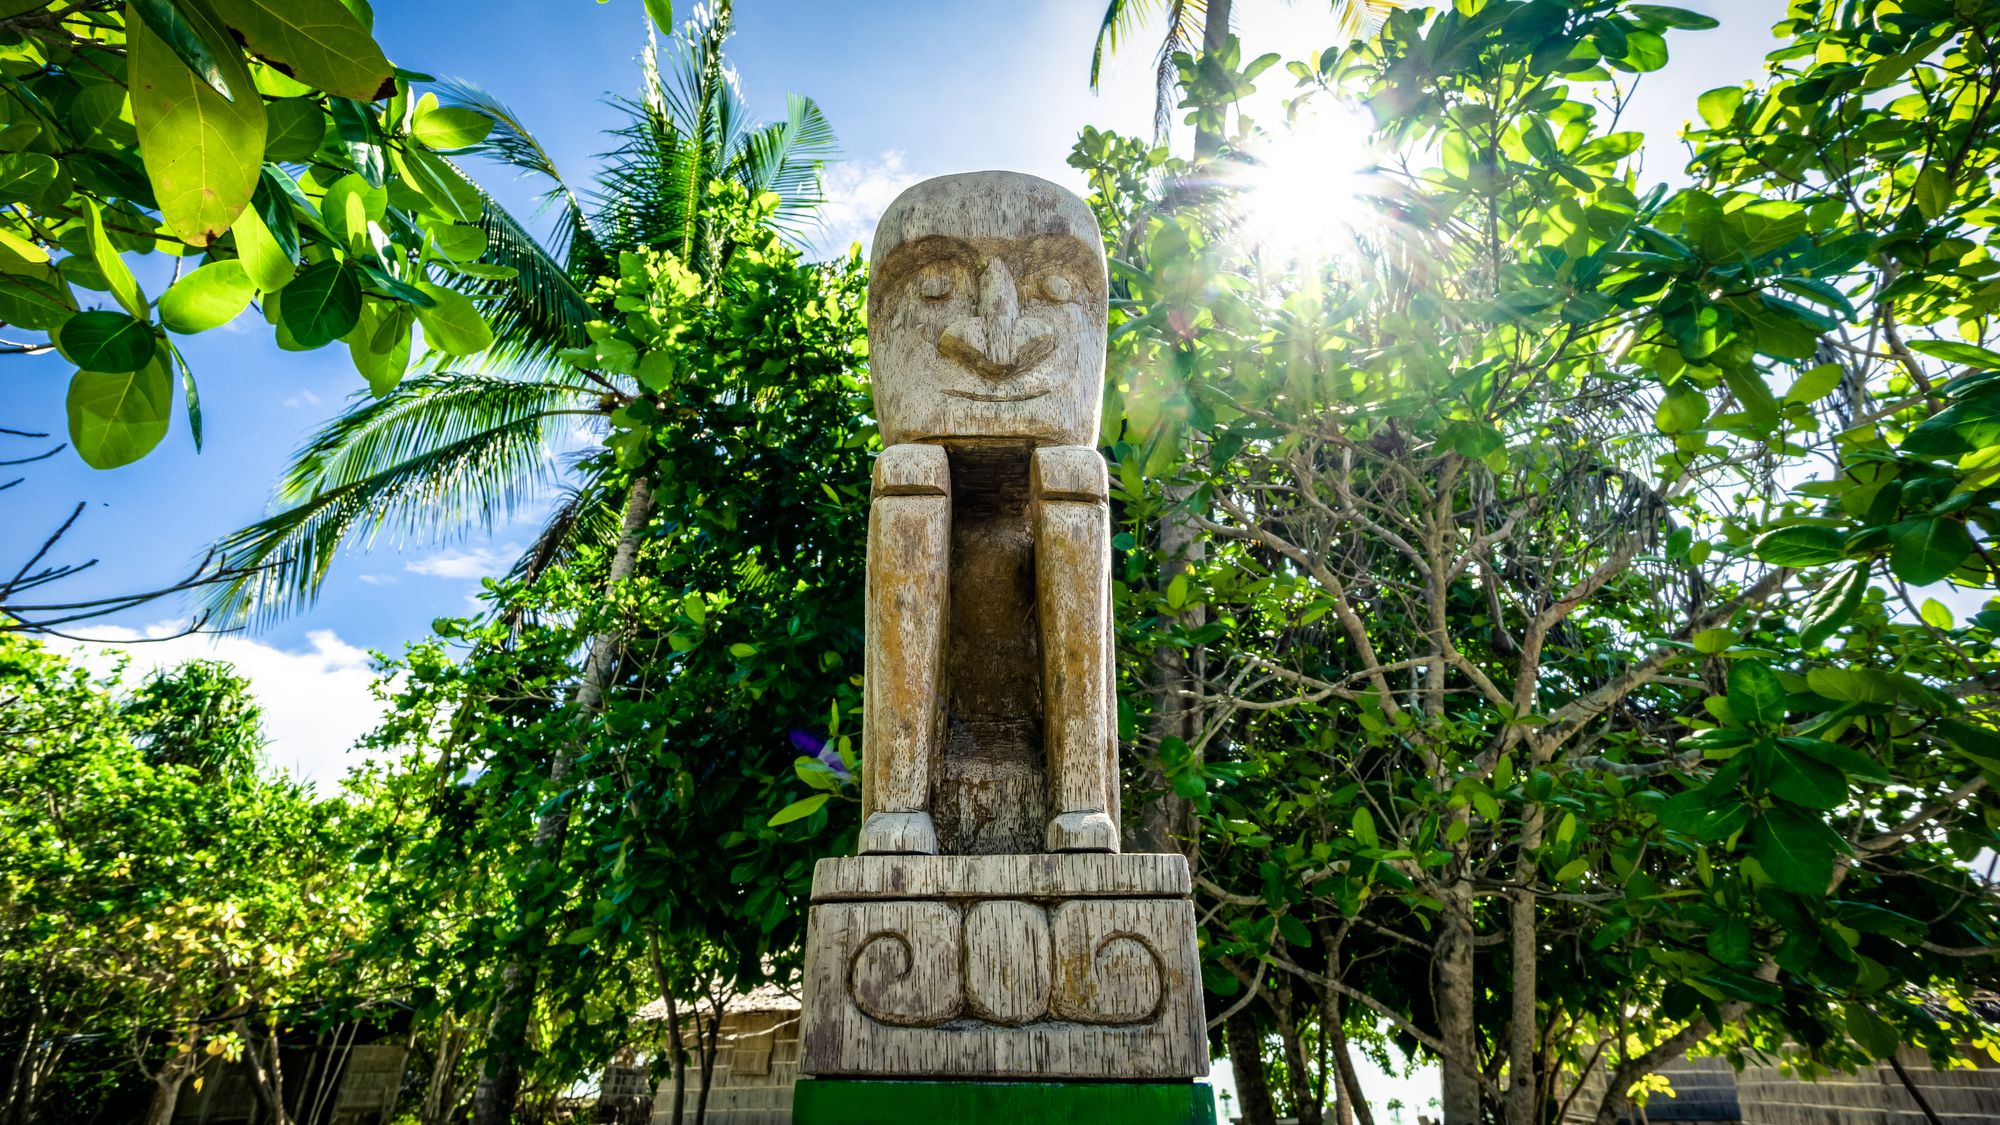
(1073, 566)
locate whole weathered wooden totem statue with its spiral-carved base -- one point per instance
(991, 930)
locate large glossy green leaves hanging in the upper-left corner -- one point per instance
(271, 149)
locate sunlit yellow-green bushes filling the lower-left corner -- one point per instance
(165, 898)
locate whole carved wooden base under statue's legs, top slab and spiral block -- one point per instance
(1003, 966)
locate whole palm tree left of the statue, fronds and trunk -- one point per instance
(447, 449)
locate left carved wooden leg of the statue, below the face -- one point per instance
(909, 559)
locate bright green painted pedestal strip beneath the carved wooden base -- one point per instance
(889, 1102)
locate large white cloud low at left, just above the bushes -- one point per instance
(317, 702)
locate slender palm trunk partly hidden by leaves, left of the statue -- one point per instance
(493, 1102)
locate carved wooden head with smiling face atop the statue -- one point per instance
(987, 303)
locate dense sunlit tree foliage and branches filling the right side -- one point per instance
(1553, 718)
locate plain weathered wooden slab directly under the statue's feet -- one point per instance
(1077, 876)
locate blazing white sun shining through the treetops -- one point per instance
(1309, 189)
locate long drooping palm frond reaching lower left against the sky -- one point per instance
(441, 451)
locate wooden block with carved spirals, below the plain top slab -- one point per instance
(1123, 990)
